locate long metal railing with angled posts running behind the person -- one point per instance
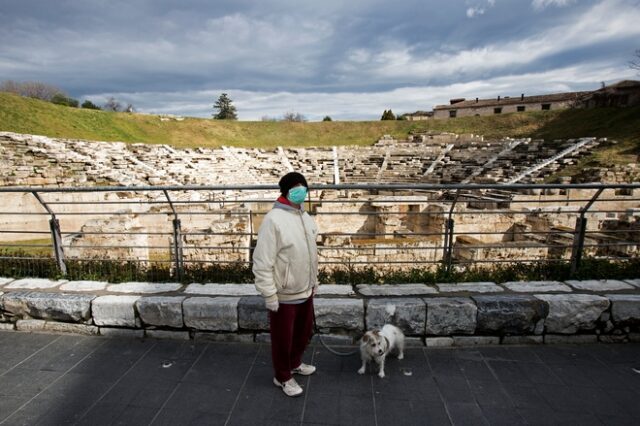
(384, 226)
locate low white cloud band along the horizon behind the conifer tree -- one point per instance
(253, 105)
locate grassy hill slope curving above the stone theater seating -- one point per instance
(24, 115)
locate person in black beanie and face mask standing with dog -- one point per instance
(285, 265)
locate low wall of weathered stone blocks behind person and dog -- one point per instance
(435, 315)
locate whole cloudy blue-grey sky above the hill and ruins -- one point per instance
(347, 59)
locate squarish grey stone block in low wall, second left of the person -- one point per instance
(211, 313)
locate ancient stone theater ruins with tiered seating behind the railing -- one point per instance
(399, 227)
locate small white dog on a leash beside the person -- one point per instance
(376, 345)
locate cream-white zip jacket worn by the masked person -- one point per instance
(285, 260)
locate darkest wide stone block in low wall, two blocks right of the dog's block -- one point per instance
(516, 314)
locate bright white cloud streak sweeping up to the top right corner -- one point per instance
(604, 22)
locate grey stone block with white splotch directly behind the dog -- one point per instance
(407, 314)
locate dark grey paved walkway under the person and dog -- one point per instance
(48, 379)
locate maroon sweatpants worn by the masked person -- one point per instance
(291, 329)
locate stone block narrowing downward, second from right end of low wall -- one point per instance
(570, 313)
